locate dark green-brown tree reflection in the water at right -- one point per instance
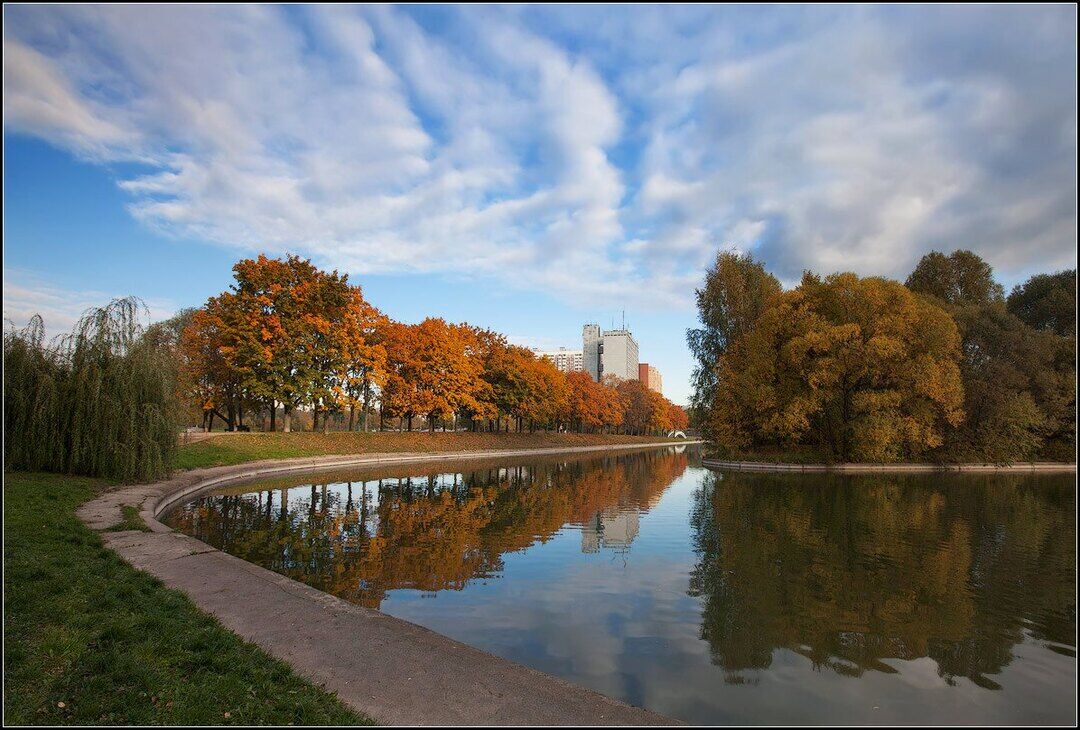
(852, 572)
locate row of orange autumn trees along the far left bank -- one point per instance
(290, 335)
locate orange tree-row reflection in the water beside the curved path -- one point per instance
(360, 539)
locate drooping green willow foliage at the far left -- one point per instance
(101, 401)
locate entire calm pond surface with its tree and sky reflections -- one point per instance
(719, 599)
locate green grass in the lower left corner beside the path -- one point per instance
(89, 640)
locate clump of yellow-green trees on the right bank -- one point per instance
(943, 368)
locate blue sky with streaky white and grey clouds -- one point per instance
(533, 168)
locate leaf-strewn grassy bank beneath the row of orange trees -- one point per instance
(235, 449)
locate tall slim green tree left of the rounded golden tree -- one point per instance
(736, 292)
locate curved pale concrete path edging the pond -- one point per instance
(385, 668)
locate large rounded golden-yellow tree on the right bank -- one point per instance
(861, 369)
